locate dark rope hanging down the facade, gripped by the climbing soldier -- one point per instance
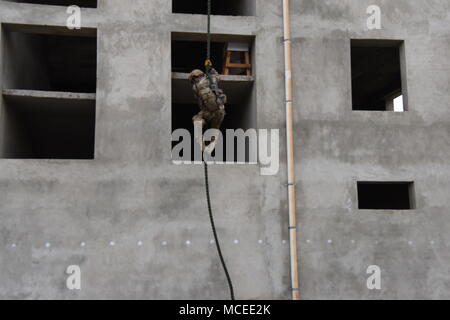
(208, 66)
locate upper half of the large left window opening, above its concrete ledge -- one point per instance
(36, 59)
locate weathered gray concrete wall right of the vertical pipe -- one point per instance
(337, 147)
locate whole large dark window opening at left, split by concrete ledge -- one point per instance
(49, 78)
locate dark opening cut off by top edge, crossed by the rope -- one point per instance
(218, 7)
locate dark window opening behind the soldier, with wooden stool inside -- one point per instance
(187, 55)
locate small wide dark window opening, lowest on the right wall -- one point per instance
(386, 195)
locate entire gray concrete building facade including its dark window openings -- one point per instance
(86, 170)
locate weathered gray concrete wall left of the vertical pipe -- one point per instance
(132, 192)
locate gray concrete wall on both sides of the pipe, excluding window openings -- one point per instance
(132, 192)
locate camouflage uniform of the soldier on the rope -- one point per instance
(211, 102)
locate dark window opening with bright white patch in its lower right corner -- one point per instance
(377, 75)
